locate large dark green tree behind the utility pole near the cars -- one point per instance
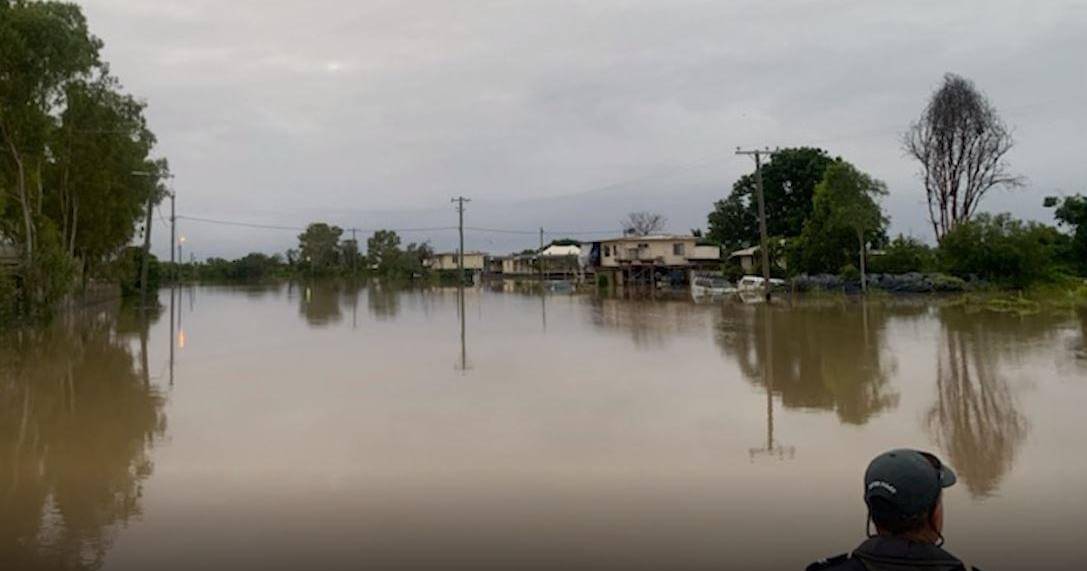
(790, 181)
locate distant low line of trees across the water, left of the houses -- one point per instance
(322, 252)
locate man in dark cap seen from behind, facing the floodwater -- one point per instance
(904, 491)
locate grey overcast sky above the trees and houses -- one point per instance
(286, 113)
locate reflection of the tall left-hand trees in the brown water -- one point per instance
(78, 423)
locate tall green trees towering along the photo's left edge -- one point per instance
(77, 171)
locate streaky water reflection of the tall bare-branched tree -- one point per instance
(976, 420)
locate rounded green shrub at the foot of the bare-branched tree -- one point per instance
(1003, 250)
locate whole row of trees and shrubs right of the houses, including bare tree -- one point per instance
(824, 216)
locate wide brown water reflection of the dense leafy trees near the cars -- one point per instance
(824, 357)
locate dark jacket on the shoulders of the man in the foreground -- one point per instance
(892, 554)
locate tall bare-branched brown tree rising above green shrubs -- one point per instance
(961, 143)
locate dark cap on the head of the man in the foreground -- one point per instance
(908, 481)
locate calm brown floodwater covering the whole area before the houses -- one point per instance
(327, 427)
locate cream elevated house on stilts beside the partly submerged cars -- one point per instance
(651, 260)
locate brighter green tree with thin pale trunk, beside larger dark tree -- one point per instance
(851, 200)
